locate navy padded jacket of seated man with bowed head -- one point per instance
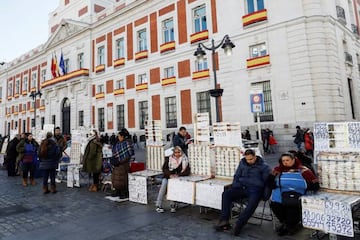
(251, 176)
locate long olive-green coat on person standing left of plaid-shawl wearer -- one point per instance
(93, 157)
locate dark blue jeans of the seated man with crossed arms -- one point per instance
(253, 195)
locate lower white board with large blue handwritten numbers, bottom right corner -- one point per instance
(329, 212)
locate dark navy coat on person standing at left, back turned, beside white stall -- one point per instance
(52, 157)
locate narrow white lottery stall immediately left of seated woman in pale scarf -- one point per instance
(141, 182)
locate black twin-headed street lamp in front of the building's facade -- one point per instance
(225, 44)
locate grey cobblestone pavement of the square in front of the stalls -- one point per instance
(75, 213)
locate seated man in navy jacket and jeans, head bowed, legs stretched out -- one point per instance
(249, 182)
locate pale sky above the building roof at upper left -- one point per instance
(23, 26)
